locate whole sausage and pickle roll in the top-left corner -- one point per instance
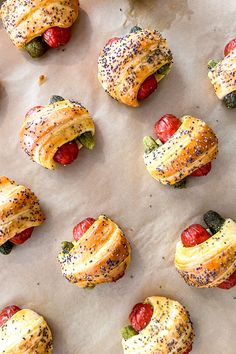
(37, 25)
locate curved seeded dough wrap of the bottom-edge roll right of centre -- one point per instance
(170, 330)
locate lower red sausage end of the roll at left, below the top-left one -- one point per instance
(66, 153)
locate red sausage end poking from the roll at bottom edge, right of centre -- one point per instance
(140, 316)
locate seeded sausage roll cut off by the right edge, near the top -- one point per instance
(222, 75)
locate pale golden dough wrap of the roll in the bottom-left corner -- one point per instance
(25, 332)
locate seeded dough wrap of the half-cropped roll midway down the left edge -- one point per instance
(19, 209)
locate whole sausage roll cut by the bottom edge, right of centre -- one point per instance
(158, 326)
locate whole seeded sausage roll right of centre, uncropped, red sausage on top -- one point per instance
(184, 147)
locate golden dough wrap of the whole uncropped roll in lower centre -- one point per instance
(101, 255)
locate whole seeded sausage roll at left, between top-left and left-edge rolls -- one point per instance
(55, 133)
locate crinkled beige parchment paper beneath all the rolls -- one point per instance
(112, 179)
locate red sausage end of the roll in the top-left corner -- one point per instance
(56, 36)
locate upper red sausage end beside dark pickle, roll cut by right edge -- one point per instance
(194, 235)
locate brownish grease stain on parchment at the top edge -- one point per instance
(164, 13)
